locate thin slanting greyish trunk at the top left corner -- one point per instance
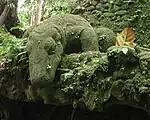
(4, 14)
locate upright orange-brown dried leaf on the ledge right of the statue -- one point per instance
(128, 34)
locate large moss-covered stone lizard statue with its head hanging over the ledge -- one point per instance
(60, 34)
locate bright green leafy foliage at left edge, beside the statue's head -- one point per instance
(10, 46)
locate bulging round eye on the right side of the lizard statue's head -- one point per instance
(50, 46)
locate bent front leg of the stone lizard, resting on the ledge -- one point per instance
(86, 35)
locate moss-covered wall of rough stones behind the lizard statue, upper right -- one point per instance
(117, 14)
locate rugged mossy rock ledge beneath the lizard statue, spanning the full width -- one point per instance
(80, 79)
